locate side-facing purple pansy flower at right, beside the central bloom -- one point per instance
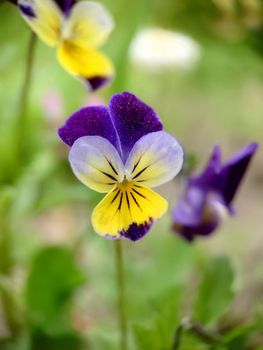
(209, 196)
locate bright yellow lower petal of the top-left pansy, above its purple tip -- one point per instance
(83, 61)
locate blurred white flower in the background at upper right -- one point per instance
(156, 48)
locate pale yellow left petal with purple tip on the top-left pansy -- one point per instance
(44, 17)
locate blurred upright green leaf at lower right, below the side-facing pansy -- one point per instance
(215, 290)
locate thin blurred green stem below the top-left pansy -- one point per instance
(24, 94)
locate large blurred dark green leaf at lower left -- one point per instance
(51, 283)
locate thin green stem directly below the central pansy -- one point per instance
(121, 294)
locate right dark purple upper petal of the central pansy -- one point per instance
(132, 119)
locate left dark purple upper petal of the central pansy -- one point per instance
(88, 121)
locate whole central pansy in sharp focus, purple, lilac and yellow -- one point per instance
(122, 150)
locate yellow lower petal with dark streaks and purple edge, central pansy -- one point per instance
(128, 210)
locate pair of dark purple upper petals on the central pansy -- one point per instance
(125, 121)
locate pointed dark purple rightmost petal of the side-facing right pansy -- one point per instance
(234, 170)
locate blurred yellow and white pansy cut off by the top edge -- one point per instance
(77, 30)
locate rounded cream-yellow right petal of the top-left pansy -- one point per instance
(89, 24)
